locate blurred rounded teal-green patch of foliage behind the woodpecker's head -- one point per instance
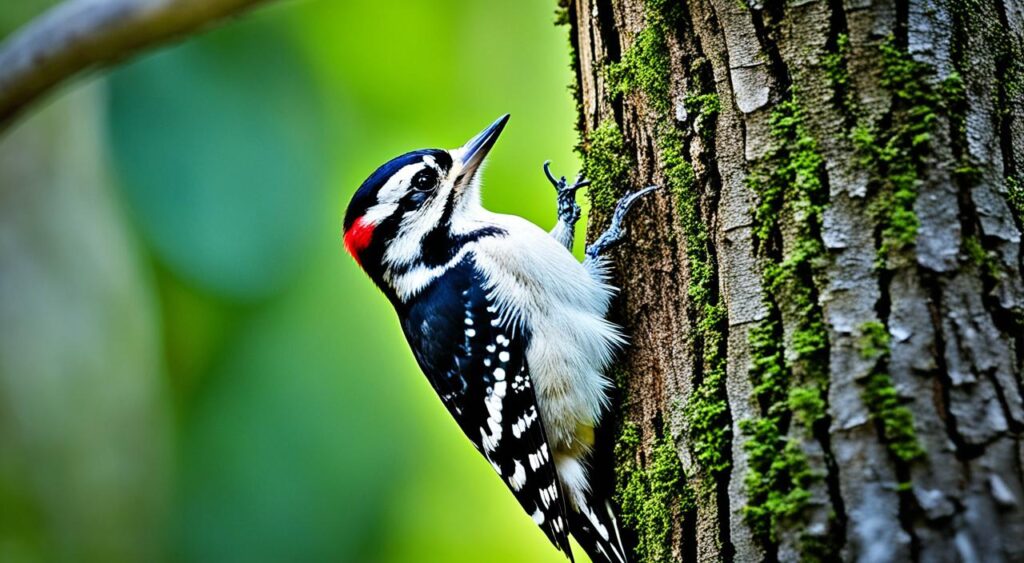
(221, 149)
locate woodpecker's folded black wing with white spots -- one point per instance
(478, 365)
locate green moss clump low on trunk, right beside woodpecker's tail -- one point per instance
(655, 497)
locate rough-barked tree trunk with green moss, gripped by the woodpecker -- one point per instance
(826, 298)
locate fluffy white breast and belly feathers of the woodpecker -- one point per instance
(543, 289)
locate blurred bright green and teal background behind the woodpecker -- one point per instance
(191, 367)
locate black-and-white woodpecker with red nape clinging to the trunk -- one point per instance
(510, 329)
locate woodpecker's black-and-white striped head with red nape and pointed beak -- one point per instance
(403, 215)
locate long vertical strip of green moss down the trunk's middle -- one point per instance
(790, 385)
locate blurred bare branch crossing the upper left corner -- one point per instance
(81, 35)
